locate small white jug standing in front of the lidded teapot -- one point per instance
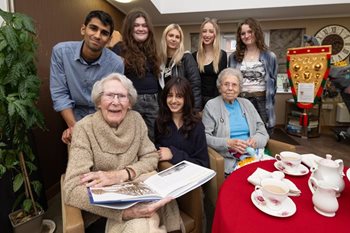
(324, 197)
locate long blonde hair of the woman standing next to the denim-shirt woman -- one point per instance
(216, 46)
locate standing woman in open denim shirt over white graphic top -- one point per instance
(259, 68)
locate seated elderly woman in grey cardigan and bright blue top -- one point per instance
(232, 124)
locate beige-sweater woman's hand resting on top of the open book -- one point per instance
(104, 178)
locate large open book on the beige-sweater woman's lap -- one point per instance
(174, 182)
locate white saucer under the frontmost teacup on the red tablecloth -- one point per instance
(288, 207)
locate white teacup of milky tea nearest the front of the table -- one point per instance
(274, 192)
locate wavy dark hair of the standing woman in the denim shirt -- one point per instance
(259, 36)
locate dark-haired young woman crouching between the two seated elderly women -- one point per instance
(179, 131)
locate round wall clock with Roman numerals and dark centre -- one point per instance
(339, 37)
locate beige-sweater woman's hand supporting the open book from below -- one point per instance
(144, 210)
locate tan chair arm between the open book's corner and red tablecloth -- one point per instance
(212, 187)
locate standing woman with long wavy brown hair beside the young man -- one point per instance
(139, 50)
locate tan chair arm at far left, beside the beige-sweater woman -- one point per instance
(72, 219)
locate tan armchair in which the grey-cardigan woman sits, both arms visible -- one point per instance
(217, 164)
